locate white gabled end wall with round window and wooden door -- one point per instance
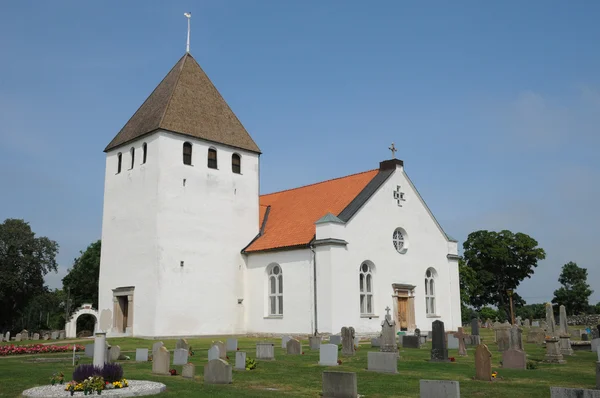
(369, 235)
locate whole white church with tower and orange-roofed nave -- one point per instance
(190, 247)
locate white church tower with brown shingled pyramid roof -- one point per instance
(181, 199)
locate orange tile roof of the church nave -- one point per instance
(293, 213)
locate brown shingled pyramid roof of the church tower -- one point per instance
(186, 102)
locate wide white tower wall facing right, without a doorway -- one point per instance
(204, 223)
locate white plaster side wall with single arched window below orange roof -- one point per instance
(297, 269)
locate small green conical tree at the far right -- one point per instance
(575, 292)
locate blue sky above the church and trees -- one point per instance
(494, 107)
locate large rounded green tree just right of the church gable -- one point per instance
(500, 261)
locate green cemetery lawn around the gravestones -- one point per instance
(300, 376)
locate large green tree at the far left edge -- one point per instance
(24, 261)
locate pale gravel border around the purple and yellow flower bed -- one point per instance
(136, 388)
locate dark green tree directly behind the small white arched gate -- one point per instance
(81, 281)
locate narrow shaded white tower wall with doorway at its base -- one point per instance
(129, 233)
